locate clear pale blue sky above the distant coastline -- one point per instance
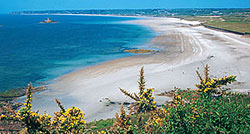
(7, 6)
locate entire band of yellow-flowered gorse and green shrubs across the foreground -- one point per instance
(211, 108)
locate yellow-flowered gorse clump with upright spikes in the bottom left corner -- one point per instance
(65, 121)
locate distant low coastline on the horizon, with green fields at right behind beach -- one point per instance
(233, 20)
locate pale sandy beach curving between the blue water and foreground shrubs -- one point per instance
(184, 48)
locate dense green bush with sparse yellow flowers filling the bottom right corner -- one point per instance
(205, 110)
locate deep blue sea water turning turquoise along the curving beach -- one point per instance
(34, 52)
